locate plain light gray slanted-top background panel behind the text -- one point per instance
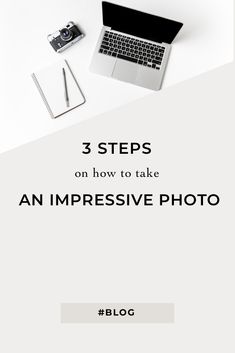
(179, 255)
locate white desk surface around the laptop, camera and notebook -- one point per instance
(205, 42)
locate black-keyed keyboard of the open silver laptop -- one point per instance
(131, 49)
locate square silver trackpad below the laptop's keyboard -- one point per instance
(125, 71)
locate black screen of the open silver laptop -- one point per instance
(139, 24)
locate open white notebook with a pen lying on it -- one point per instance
(51, 83)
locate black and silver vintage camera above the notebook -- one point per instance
(65, 37)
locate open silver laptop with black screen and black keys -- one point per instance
(134, 46)
